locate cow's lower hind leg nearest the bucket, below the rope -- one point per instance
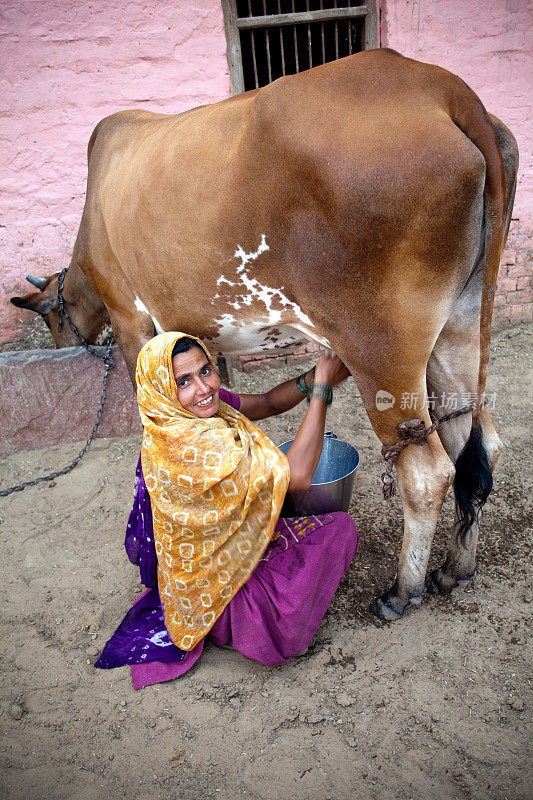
(424, 474)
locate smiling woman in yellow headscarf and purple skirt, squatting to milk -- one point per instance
(207, 537)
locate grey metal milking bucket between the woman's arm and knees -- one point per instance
(332, 484)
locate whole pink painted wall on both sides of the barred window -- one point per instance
(68, 63)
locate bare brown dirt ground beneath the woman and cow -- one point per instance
(432, 706)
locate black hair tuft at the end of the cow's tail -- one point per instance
(473, 479)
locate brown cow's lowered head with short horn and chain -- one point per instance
(85, 308)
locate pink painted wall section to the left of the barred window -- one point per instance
(65, 65)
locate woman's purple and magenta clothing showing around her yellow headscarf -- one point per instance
(270, 619)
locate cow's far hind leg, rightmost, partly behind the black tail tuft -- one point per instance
(452, 381)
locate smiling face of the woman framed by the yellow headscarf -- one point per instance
(197, 382)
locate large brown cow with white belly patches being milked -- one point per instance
(362, 204)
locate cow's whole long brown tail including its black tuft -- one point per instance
(473, 475)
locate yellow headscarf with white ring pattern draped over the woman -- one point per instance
(216, 485)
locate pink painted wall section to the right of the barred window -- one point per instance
(490, 45)
